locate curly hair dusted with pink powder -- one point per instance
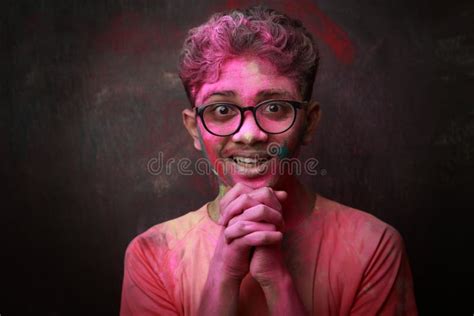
(258, 31)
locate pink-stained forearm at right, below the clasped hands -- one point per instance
(282, 298)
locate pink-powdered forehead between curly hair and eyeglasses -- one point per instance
(246, 78)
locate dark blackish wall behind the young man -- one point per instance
(89, 94)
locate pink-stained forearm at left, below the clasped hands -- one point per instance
(220, 296)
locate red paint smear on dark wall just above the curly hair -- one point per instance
(315, 21)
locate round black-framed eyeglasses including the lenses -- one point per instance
(271, 116)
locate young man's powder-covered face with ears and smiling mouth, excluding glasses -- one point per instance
(244, 156)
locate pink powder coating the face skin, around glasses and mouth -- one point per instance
(247, 81)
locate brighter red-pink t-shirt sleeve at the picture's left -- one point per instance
(143, 291)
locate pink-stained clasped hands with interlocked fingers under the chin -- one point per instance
(250, 241)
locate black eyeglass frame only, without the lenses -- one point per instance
(295, 104)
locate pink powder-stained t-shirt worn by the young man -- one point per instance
(342, 261)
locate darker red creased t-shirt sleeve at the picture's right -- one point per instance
(387, 286)
